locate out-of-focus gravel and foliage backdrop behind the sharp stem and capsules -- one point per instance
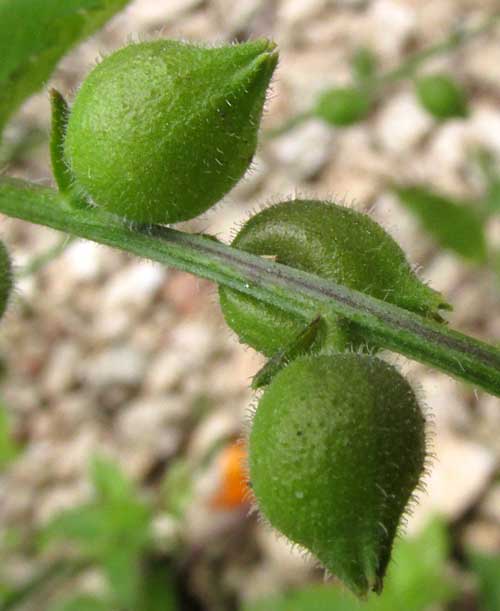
(123, 394)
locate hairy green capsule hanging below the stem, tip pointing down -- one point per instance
(336, 449)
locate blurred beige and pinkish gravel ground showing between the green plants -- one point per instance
(109, 353)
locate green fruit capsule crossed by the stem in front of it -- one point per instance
(335, 243)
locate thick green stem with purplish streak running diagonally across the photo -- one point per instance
(300, 293)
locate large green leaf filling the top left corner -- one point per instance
(35, 34)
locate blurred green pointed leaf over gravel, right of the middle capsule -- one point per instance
(455, 225)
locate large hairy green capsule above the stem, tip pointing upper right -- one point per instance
(160, 131)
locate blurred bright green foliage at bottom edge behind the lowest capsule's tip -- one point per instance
(416, 580)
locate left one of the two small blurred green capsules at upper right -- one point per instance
(343, 106)
